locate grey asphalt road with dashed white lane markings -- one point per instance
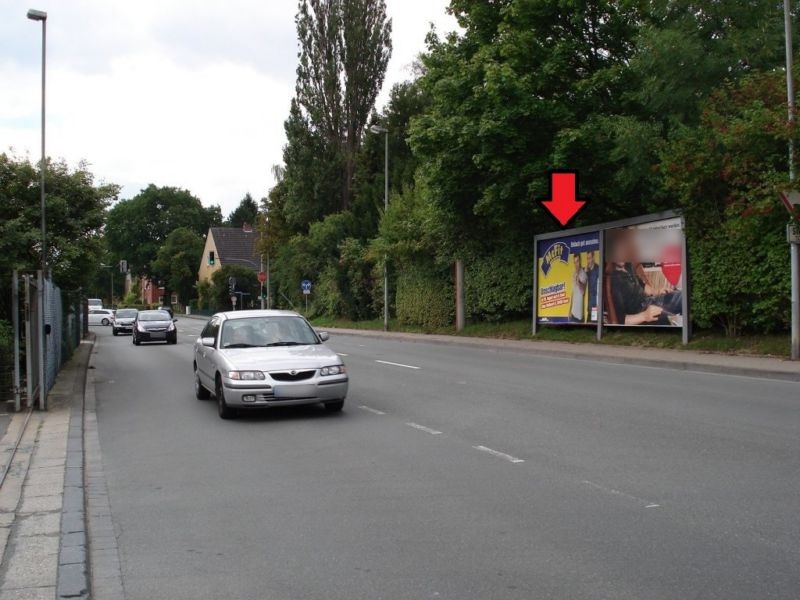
(453, 473)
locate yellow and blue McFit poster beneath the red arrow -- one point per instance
(567, 281)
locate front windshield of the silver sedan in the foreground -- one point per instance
(263, 332)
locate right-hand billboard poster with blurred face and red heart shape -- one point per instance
(643, 271)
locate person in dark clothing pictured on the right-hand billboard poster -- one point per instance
(635, 299)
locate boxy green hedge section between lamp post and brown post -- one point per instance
(425, 298)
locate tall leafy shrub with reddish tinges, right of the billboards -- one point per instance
(726, 174)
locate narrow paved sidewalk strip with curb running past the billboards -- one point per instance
(549, 351)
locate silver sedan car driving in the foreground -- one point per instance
(264, 358)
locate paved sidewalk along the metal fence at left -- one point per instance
(43, 548)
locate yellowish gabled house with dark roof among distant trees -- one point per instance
(229, 246)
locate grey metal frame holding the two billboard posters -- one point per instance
(601, 228)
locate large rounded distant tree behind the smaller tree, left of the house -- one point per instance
(136, 228)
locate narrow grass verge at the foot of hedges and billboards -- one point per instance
(702, 341)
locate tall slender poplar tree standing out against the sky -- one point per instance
(345, 46)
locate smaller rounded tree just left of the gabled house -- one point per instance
(177, 260)
